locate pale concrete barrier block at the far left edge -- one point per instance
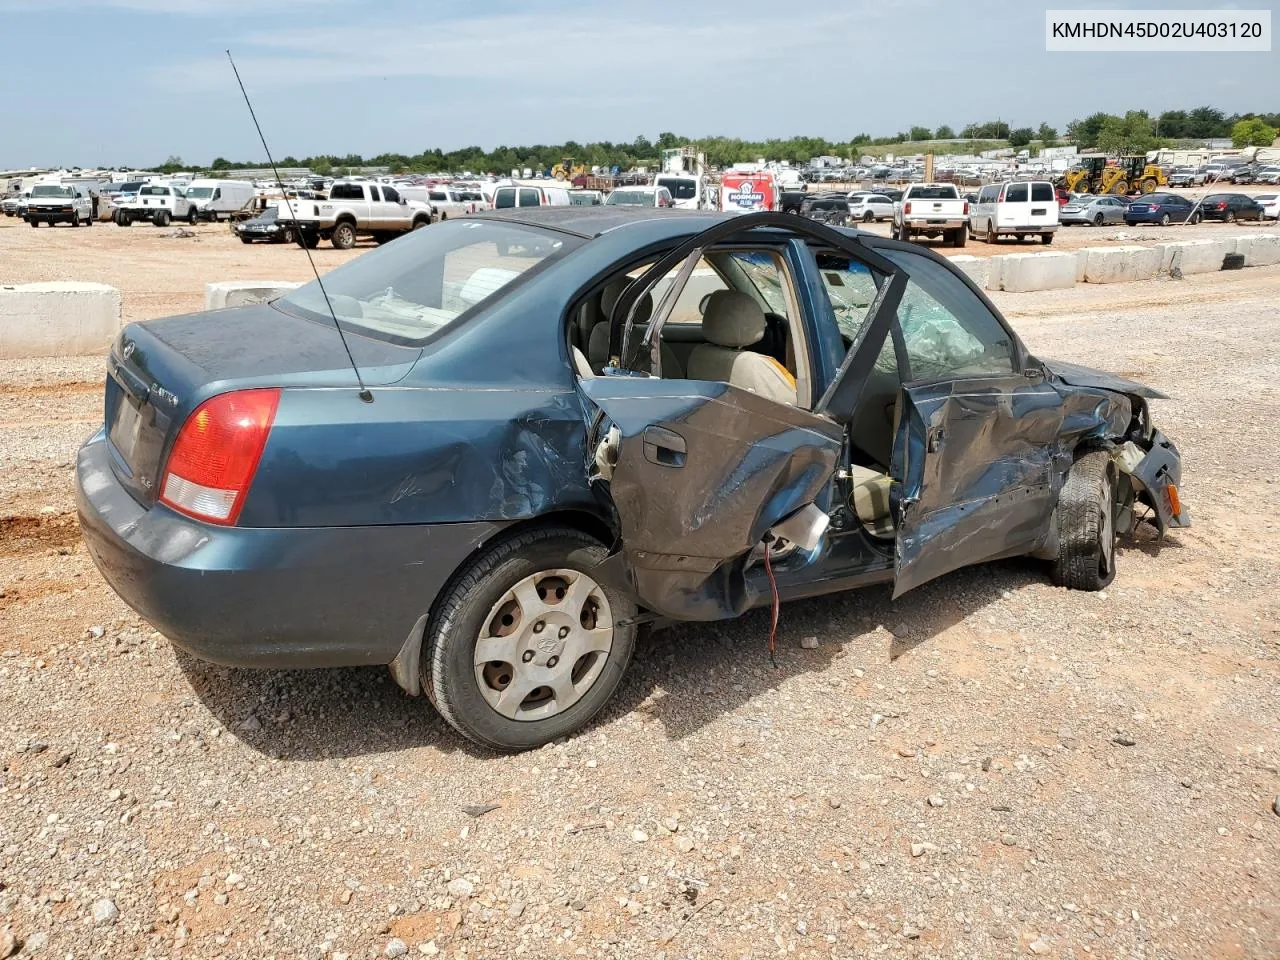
(58, 319)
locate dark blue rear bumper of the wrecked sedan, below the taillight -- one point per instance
(254, 597)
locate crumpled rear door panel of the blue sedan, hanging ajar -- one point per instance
(698, 474)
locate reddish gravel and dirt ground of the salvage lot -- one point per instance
(986, 767)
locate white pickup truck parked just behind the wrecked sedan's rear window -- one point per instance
(355, 209)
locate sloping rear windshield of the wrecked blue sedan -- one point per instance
(418, 286)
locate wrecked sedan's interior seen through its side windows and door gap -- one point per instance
(738, 322)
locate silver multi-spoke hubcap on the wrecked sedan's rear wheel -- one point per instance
(545, 644)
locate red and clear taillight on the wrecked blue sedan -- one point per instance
(217, 454)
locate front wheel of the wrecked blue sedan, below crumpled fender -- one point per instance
(1086, 525)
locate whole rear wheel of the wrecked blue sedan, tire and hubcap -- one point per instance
(527, 647)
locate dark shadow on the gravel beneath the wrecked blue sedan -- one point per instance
(683, 678)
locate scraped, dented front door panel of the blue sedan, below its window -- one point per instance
(976, 461)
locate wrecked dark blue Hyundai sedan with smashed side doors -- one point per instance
(497, 533)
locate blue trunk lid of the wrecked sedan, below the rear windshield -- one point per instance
(161, 371)
